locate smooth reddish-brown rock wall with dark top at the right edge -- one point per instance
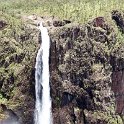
(117, 62)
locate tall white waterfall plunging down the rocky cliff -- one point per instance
(42, 89)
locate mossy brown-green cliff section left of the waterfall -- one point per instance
(17, 60)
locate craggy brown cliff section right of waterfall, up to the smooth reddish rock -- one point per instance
(82, 74)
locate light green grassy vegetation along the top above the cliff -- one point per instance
(79, 10)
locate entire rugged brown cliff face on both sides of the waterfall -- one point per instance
(86, 73)
